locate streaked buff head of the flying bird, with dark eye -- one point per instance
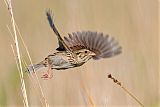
(84, 55)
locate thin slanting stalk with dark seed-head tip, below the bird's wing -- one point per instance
(128, 92)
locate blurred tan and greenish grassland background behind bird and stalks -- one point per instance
(134, 23)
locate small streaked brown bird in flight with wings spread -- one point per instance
(76, 49)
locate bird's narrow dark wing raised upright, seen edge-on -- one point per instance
(62, 44)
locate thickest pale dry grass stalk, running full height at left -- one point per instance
(23, 87)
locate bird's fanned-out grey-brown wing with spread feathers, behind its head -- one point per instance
(104, 46)
